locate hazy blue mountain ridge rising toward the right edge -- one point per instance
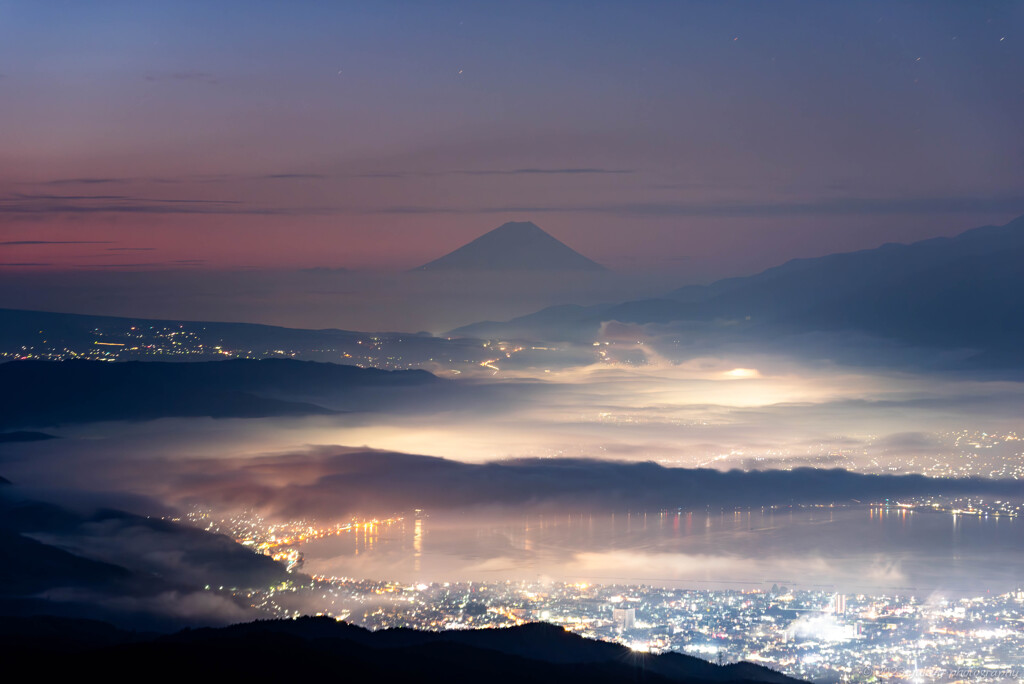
(966, 291)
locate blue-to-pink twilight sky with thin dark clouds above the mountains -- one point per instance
(704, 139)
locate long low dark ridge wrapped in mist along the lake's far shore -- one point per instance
(332, 487)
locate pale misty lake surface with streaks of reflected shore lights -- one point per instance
(861, 549)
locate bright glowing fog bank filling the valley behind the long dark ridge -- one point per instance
(752, 411)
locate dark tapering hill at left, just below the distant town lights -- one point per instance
(77, 392)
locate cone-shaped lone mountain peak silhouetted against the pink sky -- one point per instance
(515, 246)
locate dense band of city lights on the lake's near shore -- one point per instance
(814, 635)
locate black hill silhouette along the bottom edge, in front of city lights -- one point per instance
(322, 648)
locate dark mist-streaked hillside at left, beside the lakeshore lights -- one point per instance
(63, 555)
